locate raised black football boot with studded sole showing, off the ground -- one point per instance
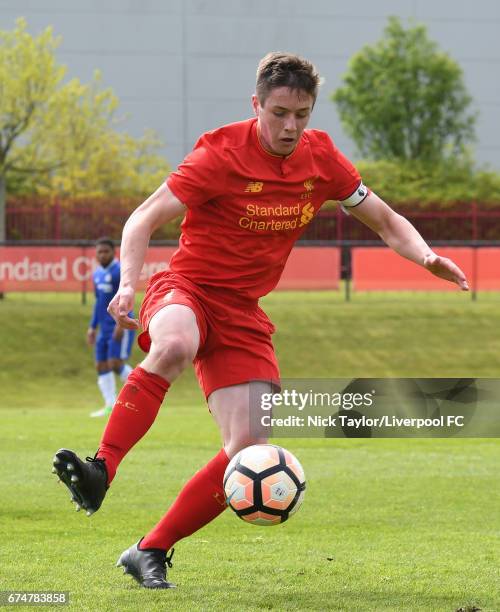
(86, 480)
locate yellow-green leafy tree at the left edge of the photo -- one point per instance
(61, 137)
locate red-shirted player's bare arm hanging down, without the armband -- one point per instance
(161, 207)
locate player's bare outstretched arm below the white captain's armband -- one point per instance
(400, 235)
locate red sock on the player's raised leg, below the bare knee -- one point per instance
(133, 414)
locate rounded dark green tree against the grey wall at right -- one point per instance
(404, 99)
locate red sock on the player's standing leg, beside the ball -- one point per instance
(201, 500)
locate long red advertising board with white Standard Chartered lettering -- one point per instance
(29, 268)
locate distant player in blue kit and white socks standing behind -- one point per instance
(112, 343)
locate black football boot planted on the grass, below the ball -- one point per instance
(148, 567)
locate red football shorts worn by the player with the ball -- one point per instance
(235, 336)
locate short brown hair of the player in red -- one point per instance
(280, 69)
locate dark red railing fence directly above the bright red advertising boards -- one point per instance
(35, 218)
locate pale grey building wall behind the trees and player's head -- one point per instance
(183, 68)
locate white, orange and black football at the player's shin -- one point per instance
(264, 484)
